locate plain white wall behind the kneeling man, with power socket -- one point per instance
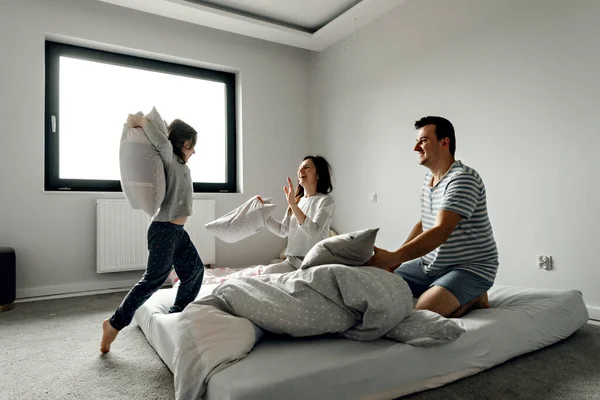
(519, 80)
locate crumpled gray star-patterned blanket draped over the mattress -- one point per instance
(359, 303)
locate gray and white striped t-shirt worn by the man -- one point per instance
(471, 246)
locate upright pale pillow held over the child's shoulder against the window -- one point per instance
(142, 169)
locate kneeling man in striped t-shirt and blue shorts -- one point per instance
(450, 258)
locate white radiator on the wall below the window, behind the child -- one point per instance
(121, 241)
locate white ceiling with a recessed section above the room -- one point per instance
(308, 24)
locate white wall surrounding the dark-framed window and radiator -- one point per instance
(53, 234)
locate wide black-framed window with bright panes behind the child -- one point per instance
(89, 94)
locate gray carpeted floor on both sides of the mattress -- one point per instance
(49, 350)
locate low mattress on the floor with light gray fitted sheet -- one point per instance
(521, 320)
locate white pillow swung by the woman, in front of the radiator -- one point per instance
(242, 222)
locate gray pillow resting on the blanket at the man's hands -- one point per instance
(353, 249)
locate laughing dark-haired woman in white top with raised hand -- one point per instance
(309, 213)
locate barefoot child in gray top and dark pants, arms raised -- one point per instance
(169, 245)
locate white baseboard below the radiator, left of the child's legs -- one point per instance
(73, 290)
